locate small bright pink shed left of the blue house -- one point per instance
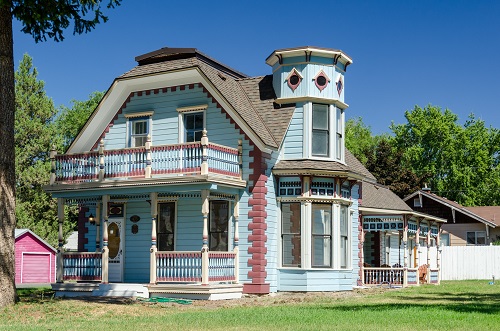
(35, 258)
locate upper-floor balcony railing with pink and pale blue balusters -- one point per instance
(148, 161)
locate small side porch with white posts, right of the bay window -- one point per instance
(396, 250)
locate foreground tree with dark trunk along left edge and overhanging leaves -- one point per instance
(41, 21)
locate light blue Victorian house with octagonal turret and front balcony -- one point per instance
(196, 180)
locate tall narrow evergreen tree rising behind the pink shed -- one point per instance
(33, 135)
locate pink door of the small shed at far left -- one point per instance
(35, 268)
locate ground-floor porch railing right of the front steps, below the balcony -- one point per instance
(186, 267)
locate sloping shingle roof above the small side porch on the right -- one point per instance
(378, 196)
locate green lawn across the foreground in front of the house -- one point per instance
(463, 305)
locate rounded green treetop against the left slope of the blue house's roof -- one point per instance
(71, 120)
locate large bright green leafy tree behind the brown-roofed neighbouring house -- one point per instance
(461, 161)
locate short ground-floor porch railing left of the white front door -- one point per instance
(82, 266)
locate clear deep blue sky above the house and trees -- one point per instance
(405, 53)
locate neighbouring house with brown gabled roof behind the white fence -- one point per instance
(465, 225)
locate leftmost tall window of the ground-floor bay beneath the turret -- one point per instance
(290, 234)
